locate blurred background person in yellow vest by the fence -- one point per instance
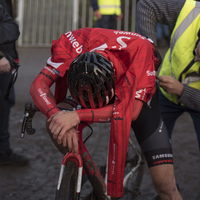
(107, 13)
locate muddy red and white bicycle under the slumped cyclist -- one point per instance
(75, 167)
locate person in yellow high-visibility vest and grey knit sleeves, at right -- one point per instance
(179, 77)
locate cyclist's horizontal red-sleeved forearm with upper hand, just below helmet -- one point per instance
(67, 120)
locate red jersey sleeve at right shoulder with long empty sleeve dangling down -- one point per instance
(140, 76)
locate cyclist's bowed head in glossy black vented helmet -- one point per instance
(91, 80)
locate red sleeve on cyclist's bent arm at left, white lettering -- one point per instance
(41, 93)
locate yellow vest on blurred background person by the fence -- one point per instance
(109, 7)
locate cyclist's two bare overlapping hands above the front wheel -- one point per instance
(62, 126)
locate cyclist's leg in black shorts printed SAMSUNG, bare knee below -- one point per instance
(155, 144)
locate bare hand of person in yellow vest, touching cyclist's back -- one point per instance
(170, 85)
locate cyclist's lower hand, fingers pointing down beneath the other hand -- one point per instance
(70, 140)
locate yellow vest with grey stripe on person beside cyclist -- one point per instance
(180, 54)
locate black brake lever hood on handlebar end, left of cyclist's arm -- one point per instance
(29, 112)
